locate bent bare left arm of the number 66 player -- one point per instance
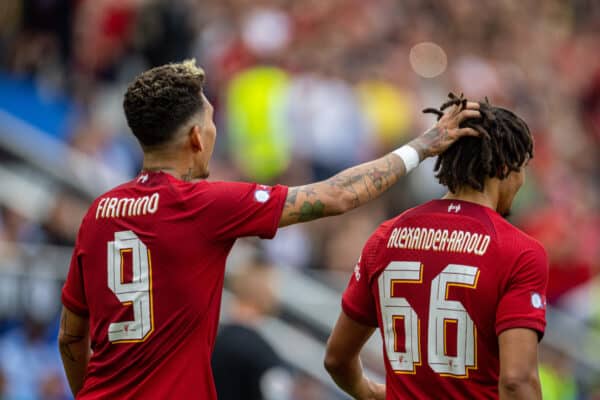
(342, 359)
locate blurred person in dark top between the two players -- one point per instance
(244, 364)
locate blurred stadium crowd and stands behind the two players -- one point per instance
(301, 89)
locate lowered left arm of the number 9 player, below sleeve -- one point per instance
(74, 345)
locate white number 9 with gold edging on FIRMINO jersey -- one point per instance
(137, 293)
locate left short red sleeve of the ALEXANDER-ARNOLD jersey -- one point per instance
(358, 302)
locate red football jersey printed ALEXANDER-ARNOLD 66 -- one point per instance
(442, 281)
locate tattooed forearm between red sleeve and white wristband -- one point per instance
(342, 192)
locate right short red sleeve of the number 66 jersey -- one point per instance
(523, 303)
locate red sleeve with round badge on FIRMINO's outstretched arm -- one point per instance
(246, 209)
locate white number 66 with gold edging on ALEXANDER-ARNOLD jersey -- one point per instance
(441, 312)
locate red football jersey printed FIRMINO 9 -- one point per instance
(148, 269)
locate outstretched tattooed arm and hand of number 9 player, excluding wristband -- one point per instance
(358, 185)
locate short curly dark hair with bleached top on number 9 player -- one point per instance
(162, 99)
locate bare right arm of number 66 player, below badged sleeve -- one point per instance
(519, 378)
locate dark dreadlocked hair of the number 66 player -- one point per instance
(504, 145)
